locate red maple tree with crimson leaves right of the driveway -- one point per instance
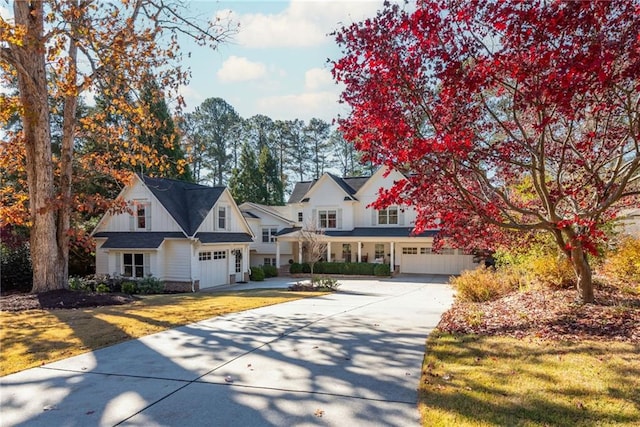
(504, 116)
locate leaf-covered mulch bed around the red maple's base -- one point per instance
(551, 315)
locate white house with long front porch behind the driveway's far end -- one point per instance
(353, 231)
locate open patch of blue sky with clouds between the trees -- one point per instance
(276, 64)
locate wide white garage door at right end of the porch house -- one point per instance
(423, 261)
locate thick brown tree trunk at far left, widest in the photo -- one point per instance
(48, 271)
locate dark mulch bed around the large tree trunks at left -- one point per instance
(61, 299)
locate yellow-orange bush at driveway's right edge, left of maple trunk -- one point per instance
(481, 284)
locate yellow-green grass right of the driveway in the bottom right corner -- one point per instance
(473, 380)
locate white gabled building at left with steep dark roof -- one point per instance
(187, 235)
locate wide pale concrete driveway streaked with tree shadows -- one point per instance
(350, 358)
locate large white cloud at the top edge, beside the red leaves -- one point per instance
(301, 24)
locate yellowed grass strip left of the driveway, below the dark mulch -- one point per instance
(31, 338)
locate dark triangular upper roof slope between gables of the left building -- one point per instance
(186, 202)
